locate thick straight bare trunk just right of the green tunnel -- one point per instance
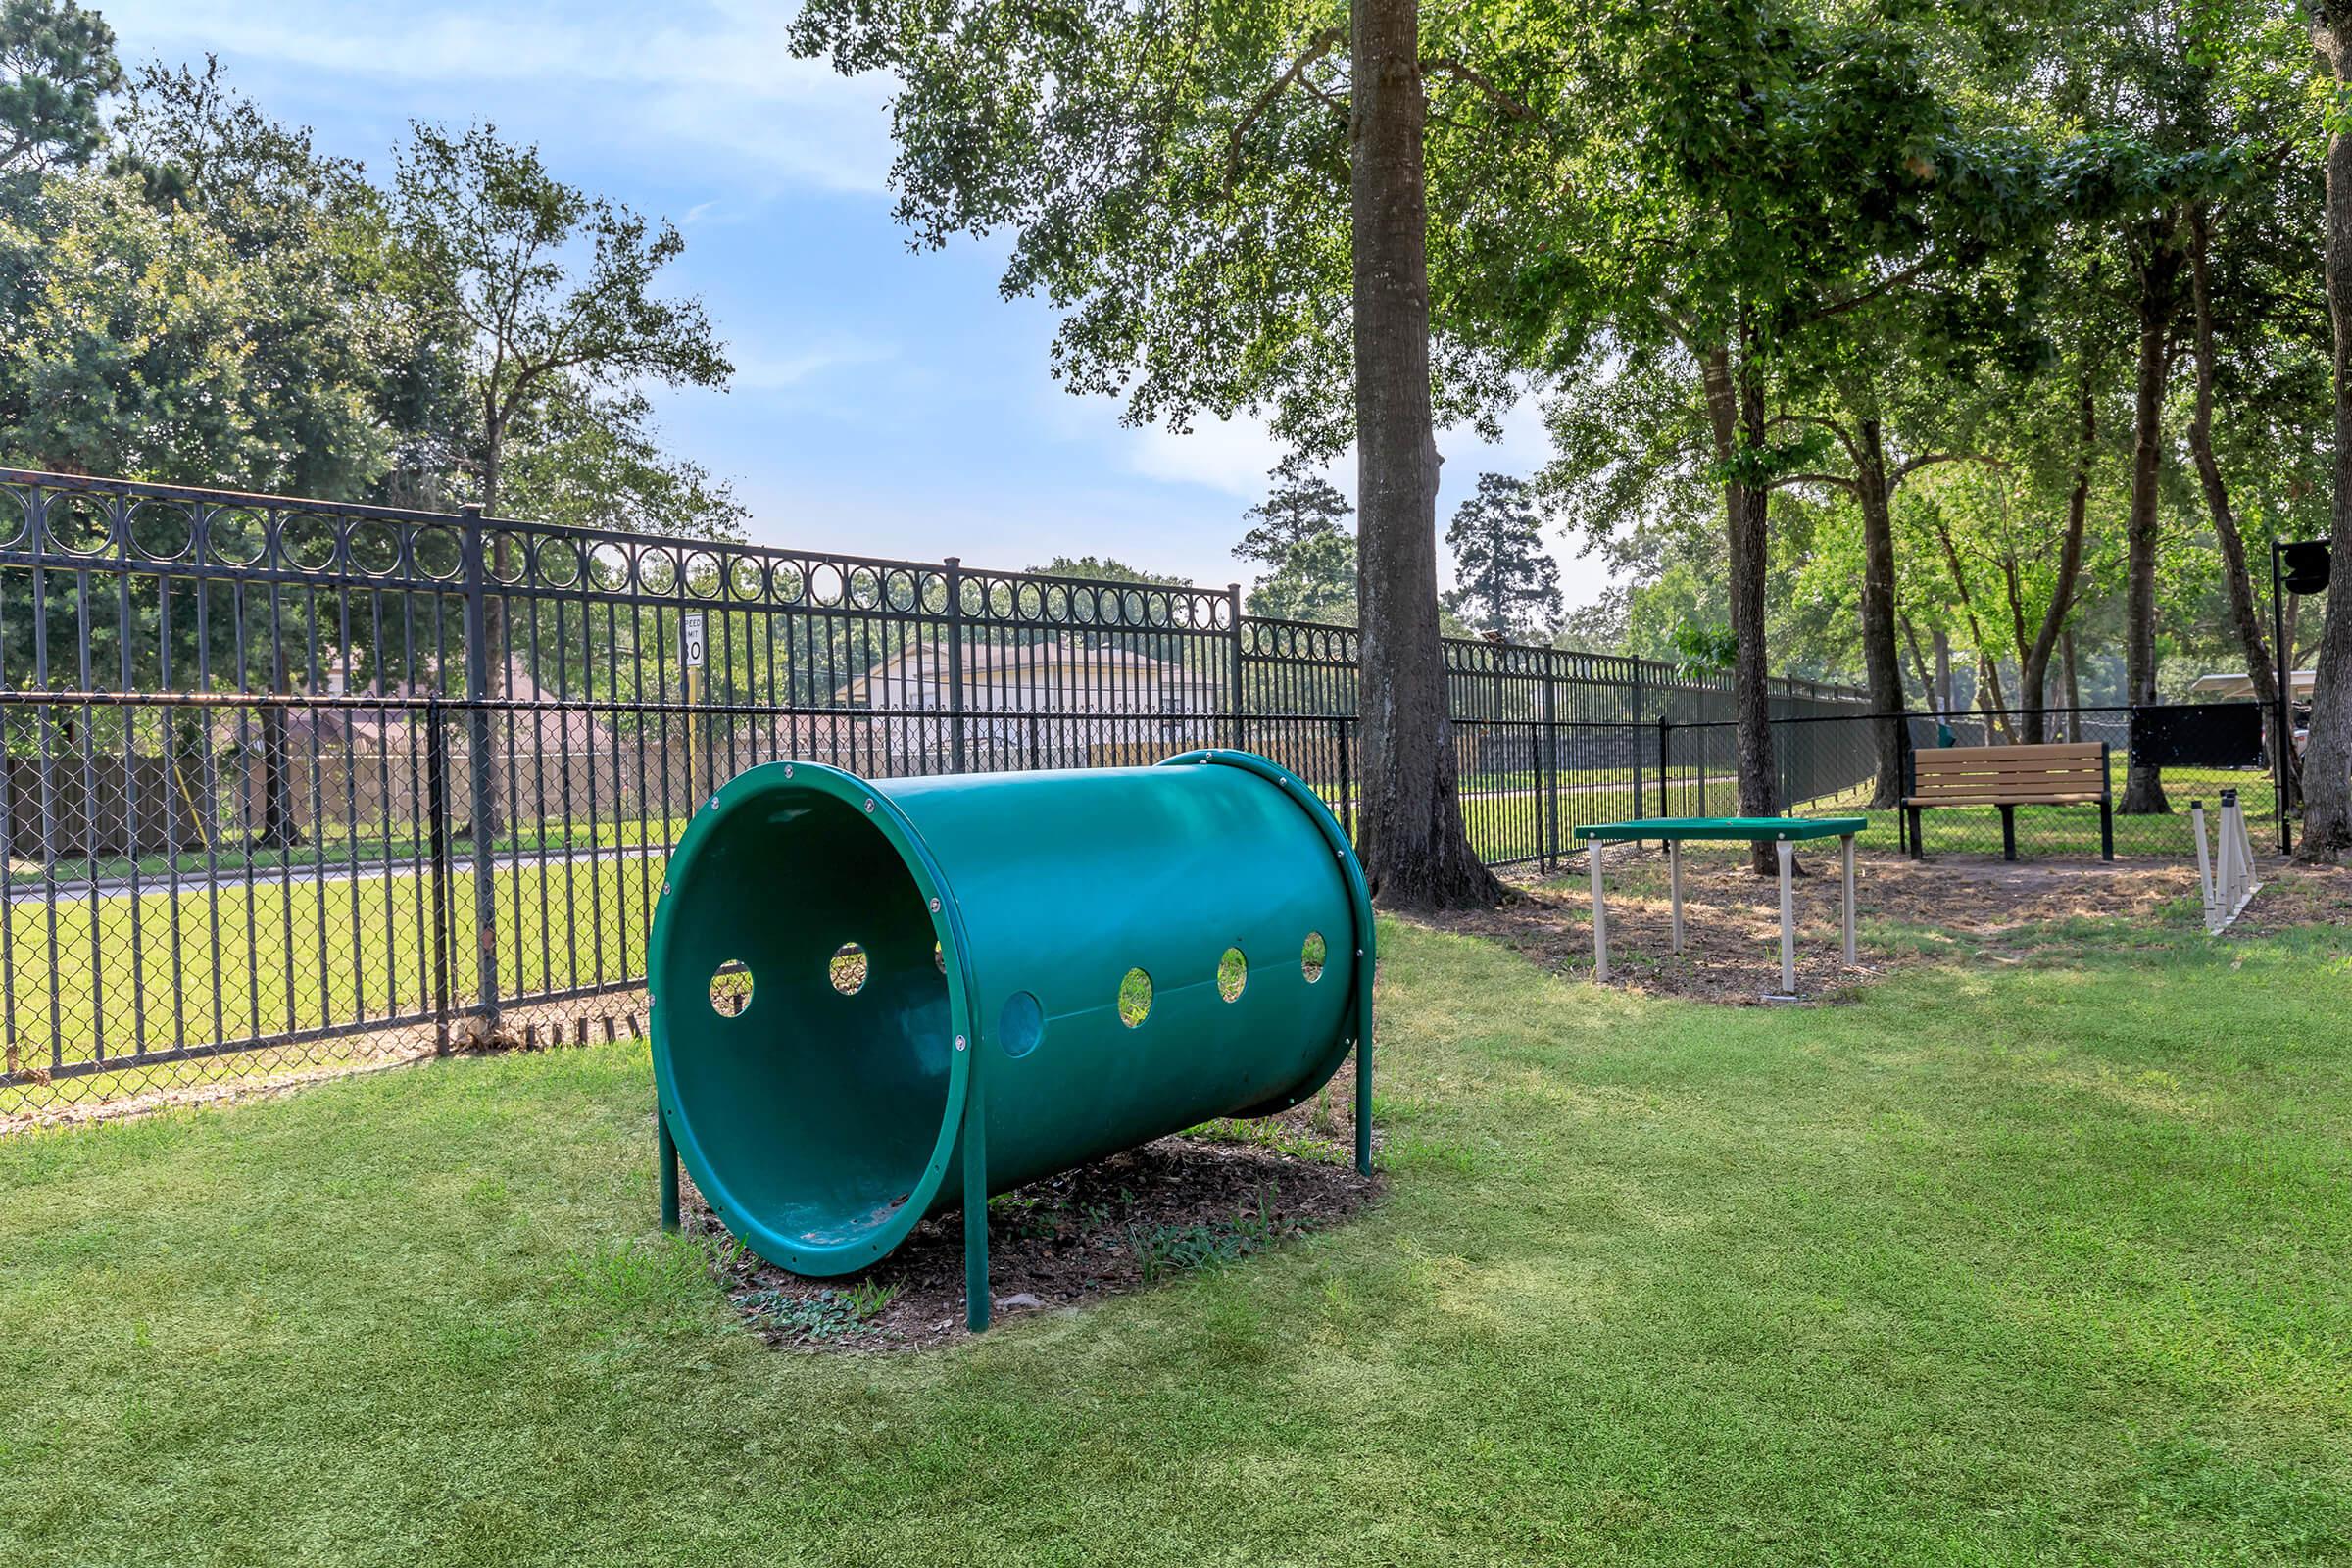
(1410, 826)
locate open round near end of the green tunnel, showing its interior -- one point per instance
(808, 1021)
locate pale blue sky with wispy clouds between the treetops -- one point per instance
(886, 403)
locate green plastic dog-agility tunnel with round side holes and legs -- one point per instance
(874, 998)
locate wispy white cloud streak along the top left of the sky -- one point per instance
(716, 76)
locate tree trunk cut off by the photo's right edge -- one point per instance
(2327, 765)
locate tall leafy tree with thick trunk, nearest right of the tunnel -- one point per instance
(1236, 210)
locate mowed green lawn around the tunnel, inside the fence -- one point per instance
(2036, 1264)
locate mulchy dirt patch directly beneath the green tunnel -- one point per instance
(1123, 1224)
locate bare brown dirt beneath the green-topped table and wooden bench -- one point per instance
(1909, 913)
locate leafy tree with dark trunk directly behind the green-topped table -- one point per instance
(1758, 170)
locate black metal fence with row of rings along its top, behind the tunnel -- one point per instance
(293, 784)
